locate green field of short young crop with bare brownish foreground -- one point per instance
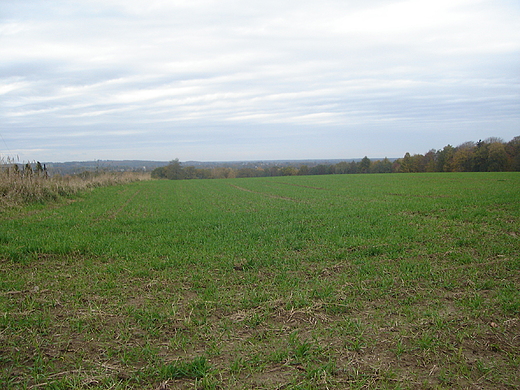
(396, 281)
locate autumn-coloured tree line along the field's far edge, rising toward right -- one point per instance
(490, 155)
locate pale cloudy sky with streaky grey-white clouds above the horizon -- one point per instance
(228, 80)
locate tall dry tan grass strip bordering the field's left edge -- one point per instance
(22, 184)
